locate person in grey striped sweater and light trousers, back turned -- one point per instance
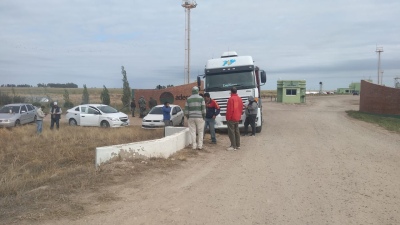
(195, 111)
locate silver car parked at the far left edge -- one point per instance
(12, 115)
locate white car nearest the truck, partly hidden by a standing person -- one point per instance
(154, 119)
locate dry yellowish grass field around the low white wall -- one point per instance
(39, 174)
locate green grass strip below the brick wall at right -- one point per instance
(391, 123)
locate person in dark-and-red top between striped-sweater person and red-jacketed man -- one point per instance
(212, 110)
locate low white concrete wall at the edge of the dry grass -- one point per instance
(176, 138)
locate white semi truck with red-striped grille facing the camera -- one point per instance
(231, 70)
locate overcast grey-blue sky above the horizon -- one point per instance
(87, 41)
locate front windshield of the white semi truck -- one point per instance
(225, 81)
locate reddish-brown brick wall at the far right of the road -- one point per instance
(379, 99)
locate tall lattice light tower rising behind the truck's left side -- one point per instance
(188, 5)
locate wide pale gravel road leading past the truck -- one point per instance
(311, 164)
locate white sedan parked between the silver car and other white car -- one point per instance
(96, 115)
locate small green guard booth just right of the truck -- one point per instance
(291, 91)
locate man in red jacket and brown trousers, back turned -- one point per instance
(234, 111)
